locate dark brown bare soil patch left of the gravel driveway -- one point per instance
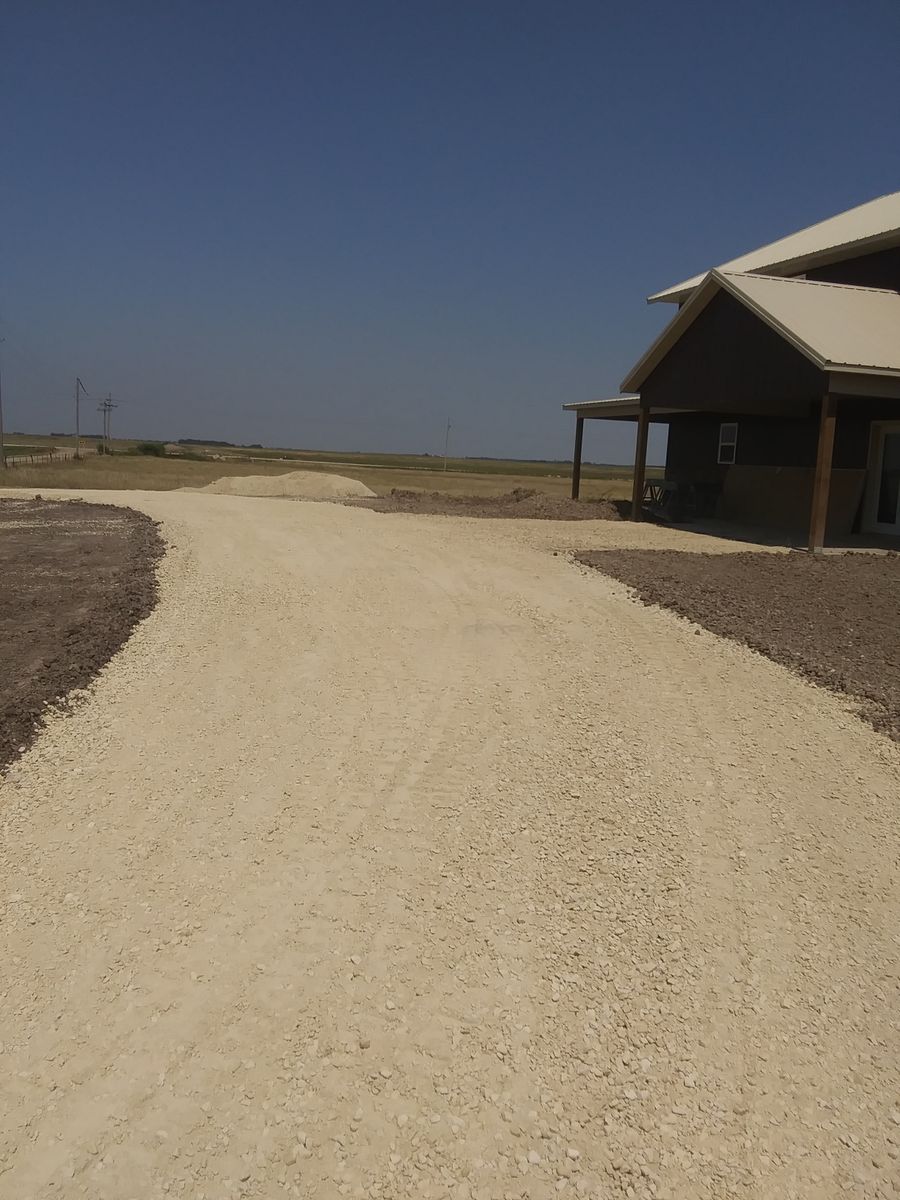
(77, 579)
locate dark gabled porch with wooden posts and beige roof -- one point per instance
(783, 404)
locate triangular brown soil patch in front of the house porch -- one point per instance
(835, 619)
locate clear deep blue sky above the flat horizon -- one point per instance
(337, 225)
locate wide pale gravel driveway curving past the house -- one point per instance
(397, 857)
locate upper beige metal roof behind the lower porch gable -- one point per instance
(867, 229)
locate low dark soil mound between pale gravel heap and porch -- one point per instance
(521, 503)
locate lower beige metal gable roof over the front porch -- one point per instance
(838, 327)
